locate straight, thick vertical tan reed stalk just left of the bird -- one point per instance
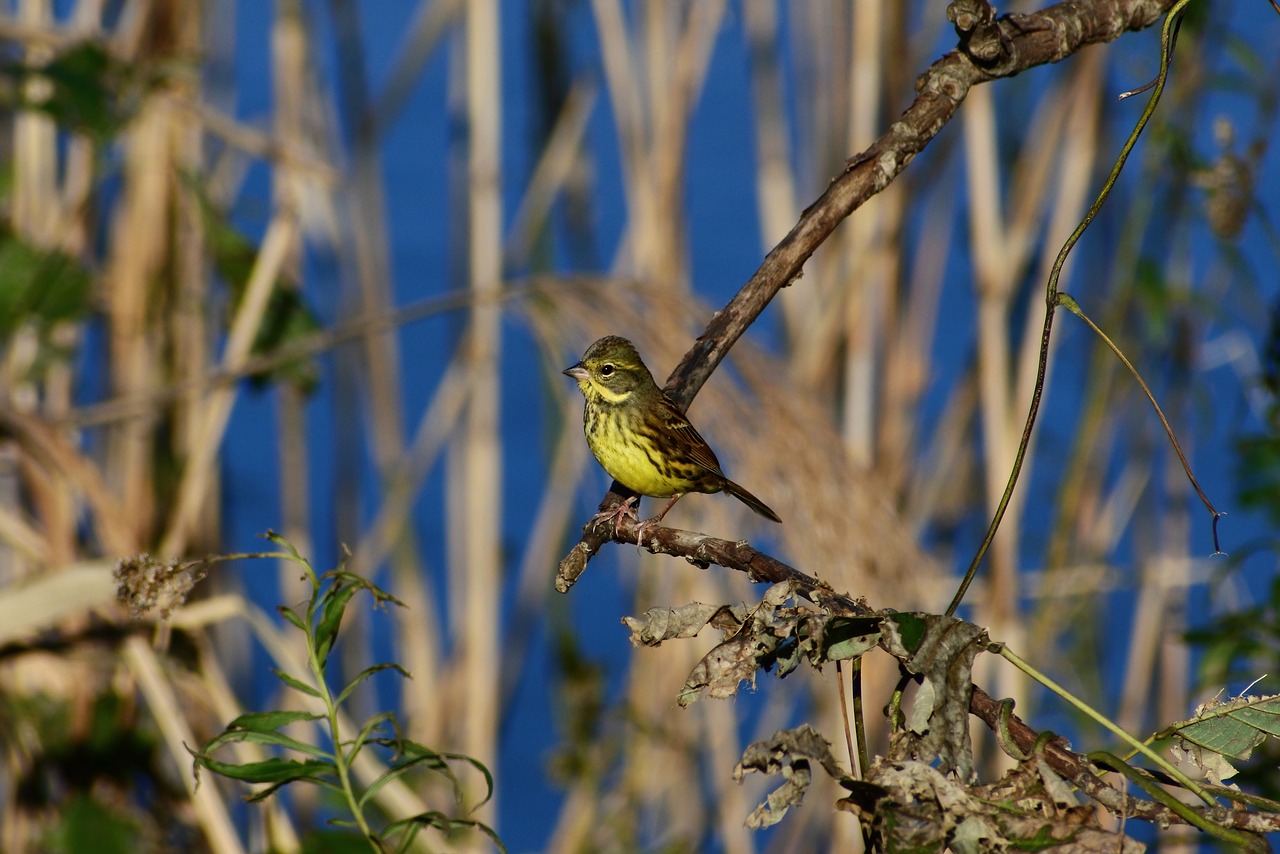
(482, 453)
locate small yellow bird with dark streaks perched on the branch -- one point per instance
(641, 436)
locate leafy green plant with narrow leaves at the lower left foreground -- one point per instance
(331, 768)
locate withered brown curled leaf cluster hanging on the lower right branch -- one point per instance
(925, 792)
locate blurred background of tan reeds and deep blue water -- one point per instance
(317, 267)
